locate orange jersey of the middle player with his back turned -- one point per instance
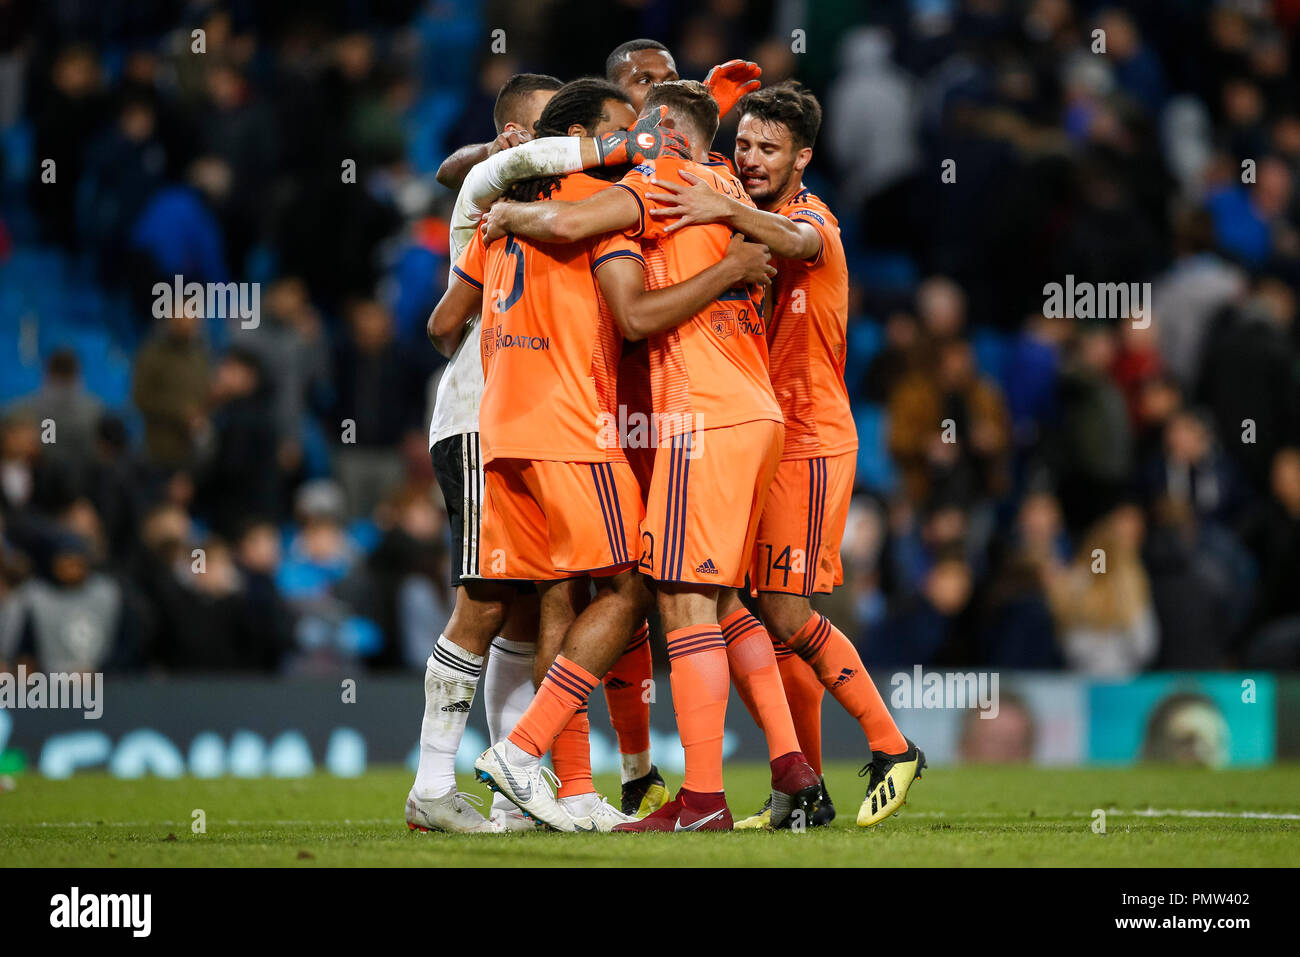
(712, 371)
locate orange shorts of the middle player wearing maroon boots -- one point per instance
(707, 497)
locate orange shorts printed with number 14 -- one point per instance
(803, 526)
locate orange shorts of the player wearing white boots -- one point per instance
(547, 521)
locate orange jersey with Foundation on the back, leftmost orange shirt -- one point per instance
(551, 348)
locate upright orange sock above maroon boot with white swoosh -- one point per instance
(700, 687)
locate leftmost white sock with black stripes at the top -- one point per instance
(450, 682)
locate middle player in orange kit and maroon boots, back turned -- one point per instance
(721, 439)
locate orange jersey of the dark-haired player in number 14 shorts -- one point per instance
(808, 340)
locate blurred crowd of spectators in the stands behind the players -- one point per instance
(1106, 496)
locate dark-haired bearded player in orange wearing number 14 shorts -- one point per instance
(800, 534)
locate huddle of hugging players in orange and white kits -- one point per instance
(644, 410)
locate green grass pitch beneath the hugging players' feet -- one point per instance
(956, 817)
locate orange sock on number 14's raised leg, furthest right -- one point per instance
(840, 670)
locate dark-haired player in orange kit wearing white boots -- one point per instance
(561, 505)
